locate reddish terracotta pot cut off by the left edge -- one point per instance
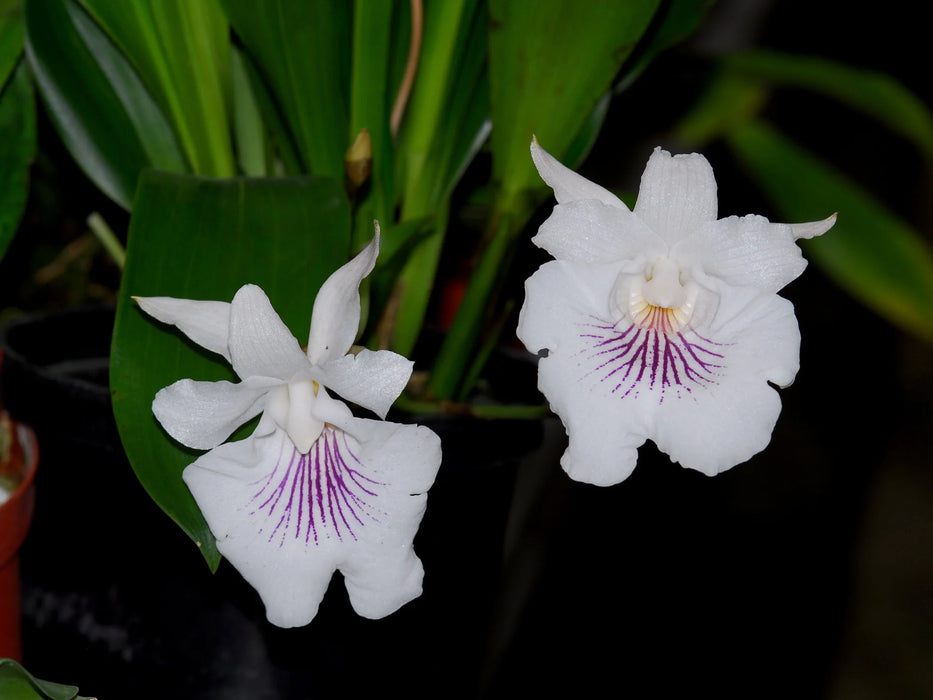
(19, 456)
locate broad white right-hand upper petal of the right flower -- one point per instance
(748, 251)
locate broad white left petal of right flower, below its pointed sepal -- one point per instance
(589, 231)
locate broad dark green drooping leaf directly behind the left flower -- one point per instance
(201, 238)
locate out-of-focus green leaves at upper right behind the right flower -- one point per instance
(873, 254)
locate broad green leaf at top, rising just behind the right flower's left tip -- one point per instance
(549, 65)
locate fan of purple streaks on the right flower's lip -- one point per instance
(637, 357)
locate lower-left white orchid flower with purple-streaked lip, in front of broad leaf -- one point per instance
(313, 489)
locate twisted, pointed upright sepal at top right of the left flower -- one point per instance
(336, 316)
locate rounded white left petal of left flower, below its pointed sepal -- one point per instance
(204, 414)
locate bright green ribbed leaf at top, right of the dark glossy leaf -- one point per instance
(181, 49)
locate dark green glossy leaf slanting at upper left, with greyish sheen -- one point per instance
(87, 111)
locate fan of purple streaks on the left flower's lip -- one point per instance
(320, 494)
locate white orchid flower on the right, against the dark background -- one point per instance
(661, 322)
